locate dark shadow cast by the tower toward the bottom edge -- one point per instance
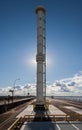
(41, 121)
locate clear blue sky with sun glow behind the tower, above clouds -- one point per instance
(18, 33)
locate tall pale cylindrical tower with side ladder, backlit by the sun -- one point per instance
(41, 57)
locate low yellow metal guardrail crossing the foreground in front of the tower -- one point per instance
(19, 122)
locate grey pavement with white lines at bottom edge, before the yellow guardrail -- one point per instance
(52, 126)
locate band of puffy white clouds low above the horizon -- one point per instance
(68, 86)
